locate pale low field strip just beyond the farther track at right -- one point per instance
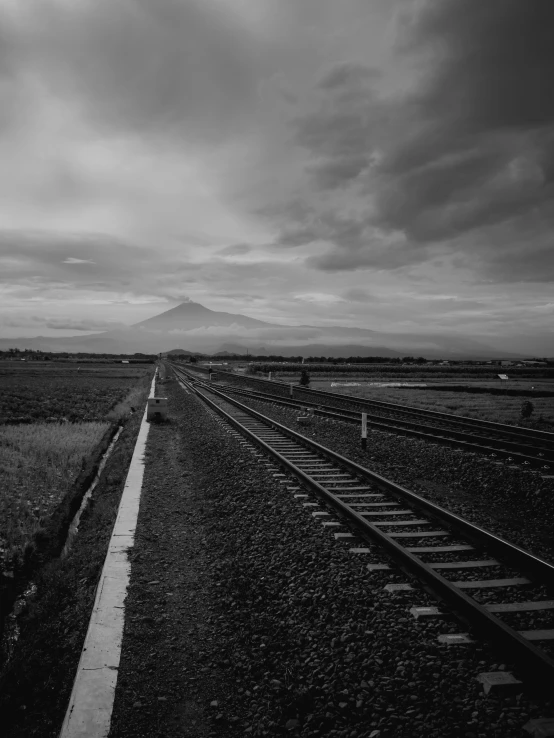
(498, 408)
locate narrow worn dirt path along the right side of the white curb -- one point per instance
(166, 675)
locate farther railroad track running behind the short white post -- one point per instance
(516, 445)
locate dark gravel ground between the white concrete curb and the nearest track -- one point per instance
(246, 617)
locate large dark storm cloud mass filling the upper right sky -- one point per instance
(469, 150)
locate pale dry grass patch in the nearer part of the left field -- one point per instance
(38, 465)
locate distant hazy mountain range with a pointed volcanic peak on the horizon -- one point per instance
(191, 327)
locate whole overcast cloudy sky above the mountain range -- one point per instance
(386, 164)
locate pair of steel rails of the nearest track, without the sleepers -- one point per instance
(536, 664)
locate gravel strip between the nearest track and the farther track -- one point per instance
(511, 502)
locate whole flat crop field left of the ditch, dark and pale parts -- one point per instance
(52, 419)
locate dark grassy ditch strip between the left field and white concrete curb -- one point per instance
(36, 683)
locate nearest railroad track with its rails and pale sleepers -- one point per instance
(499, 590)
